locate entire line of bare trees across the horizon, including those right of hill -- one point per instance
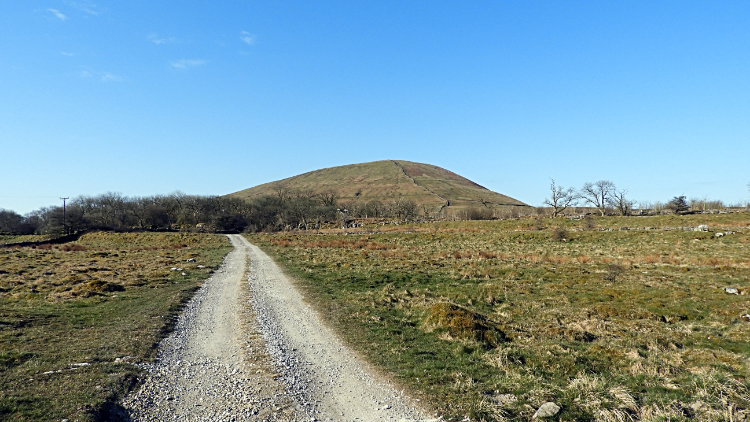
(286, 209)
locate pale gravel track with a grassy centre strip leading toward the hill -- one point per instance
(258, 354)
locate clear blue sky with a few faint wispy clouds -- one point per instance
(208, 98)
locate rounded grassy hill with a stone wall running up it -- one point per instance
(388, 180)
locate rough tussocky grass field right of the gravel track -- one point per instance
(491, 319)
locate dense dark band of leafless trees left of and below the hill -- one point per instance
(178, 211)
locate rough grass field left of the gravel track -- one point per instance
(74, 317)
